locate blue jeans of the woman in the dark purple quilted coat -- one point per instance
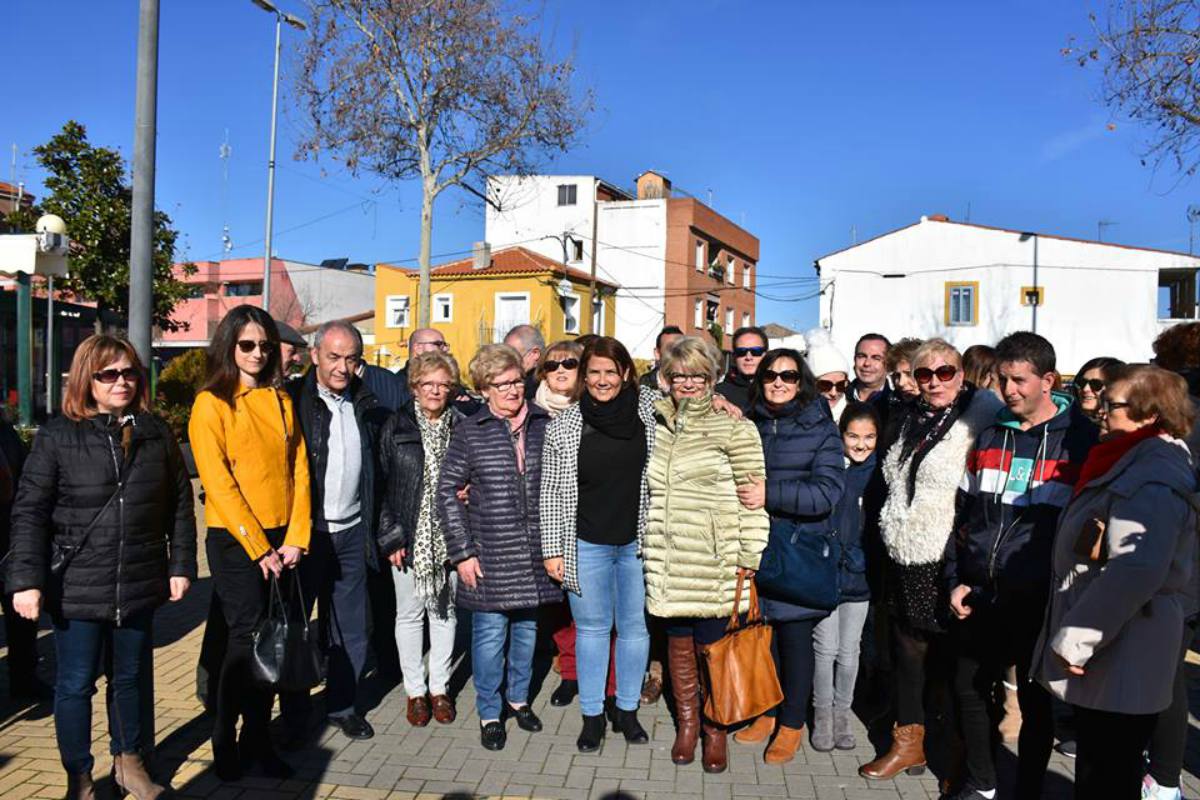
(489, 633)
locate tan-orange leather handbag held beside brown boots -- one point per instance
(740, 672)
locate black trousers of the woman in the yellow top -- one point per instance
(242, 591)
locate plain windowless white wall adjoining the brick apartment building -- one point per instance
(632, 252)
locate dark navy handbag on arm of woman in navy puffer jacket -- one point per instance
(803, 570)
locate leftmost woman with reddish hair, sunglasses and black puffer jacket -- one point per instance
(106, 485)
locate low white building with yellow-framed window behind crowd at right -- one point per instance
(973, 285)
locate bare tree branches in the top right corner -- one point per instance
(1150, 51)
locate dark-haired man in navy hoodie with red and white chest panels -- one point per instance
(1019, 477)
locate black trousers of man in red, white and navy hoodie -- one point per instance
(988, 642)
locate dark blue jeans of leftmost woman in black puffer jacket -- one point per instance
(79, 646)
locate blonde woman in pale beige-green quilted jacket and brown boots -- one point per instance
(699, 537)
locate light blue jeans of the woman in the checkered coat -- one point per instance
(613, 591)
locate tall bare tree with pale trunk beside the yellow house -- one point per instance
(446, 91)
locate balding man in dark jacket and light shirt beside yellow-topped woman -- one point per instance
(341, 420)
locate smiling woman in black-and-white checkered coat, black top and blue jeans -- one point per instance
(595, 500)
